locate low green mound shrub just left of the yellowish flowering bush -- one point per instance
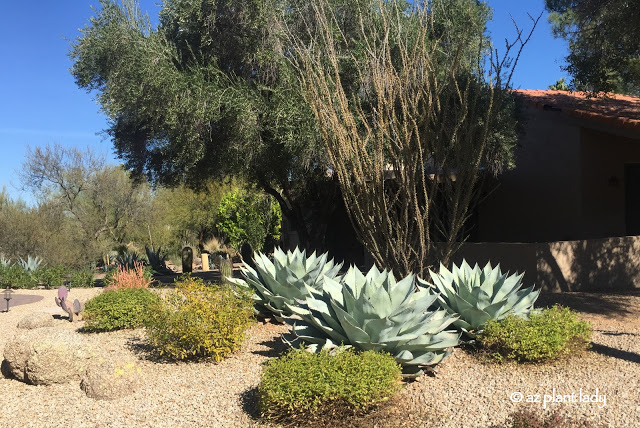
(118, 309)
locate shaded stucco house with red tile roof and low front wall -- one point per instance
(569, 213)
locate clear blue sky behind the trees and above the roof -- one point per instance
(40, 103)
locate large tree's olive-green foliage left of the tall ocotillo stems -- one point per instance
(208, 94)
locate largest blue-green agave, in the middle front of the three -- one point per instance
(374, 312)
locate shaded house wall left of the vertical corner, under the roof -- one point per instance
(540, 199)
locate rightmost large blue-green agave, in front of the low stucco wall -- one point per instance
(479, 295)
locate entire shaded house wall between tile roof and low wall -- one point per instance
(568, 184)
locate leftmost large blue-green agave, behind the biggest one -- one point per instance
(286, 279)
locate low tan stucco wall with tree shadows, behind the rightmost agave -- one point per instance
(610, 264)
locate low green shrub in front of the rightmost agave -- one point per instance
(548, 334)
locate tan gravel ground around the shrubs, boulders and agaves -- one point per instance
(464, 392)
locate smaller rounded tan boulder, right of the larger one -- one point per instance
(108, 380)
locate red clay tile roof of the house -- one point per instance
(615, 110)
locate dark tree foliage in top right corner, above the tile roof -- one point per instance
(604, 47)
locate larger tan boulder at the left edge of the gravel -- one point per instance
(45, 356)
